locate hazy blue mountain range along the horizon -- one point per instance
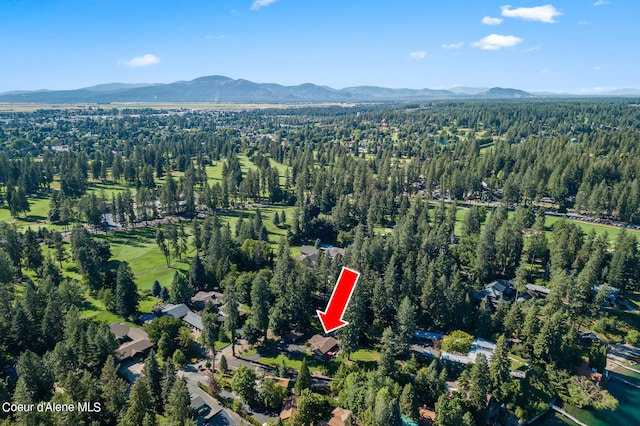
(225, 89)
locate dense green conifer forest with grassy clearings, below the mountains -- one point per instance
(107, 213)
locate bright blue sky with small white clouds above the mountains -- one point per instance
(578, 46)
